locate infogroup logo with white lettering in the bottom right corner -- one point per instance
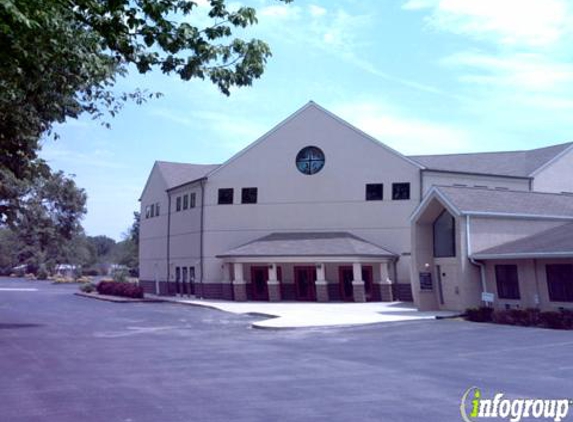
(475, 407)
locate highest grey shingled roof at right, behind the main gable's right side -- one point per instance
(509, 163)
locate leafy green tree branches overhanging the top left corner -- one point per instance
(61, 58)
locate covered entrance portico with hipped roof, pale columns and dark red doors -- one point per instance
(309, 267)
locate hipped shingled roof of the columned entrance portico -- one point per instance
(308, 244)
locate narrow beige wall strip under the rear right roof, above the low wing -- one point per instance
(434, 178)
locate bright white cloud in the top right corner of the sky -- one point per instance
(530, 23)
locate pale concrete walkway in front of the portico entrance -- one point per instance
(305, 315)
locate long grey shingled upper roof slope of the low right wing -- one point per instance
(469, 200)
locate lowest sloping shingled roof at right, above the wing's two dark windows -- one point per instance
(555, 242)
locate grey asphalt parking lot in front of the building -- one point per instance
(65, 358)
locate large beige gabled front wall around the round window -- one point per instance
(332, 200)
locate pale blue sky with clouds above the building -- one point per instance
(423, 76)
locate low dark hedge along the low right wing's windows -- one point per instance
(561, 320)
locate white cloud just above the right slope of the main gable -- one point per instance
(406, 134)
